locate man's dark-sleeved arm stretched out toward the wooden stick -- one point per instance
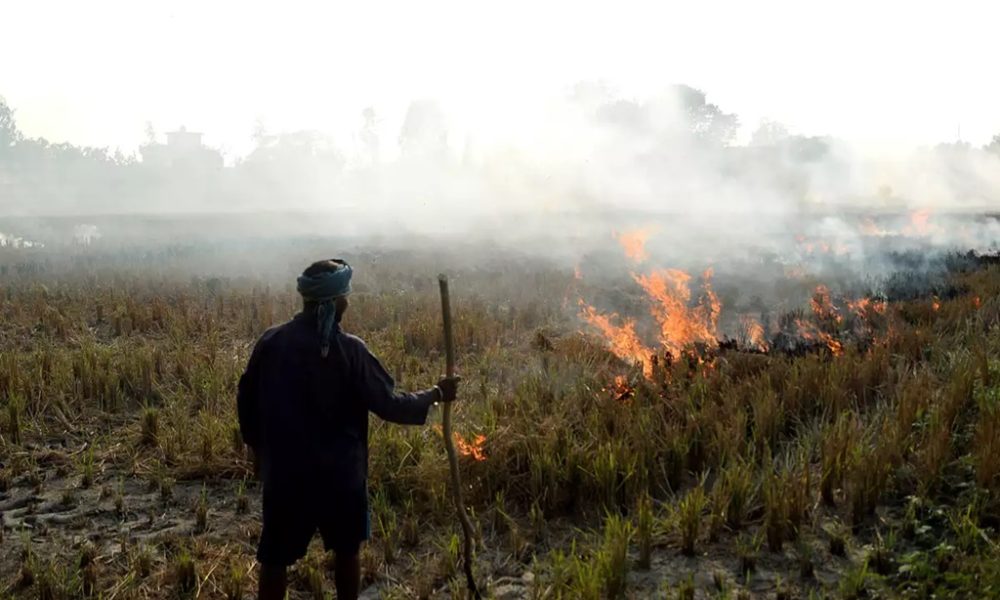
(379, 391)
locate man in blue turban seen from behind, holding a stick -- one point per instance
(303, 408)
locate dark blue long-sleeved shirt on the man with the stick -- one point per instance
(306, 417)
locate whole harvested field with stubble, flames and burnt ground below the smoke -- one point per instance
(845, 446)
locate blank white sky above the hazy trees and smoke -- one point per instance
(889, 73)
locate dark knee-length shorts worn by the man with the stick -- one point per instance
(291, 520)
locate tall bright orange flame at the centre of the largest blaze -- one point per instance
(681, 325)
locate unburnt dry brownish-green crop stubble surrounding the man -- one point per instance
(134, 383)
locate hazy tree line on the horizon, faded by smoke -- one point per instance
(308, 169)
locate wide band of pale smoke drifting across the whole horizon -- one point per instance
(561, 183)
